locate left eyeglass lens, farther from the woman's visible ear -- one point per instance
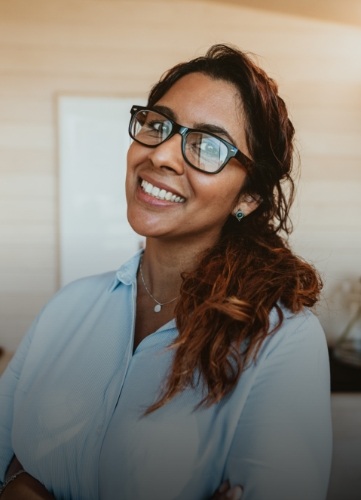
(150, 128)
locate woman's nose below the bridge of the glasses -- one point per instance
(168, 155)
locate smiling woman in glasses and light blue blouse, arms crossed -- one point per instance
(198, 363)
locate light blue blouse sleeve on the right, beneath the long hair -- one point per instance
(282, 446)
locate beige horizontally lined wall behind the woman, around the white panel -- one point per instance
(115, 47)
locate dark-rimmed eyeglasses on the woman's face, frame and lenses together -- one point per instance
(201, 150)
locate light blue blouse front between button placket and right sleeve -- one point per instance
(173, 453)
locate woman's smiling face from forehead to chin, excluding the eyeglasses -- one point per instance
(203, 202)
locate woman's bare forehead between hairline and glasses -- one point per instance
(199, 98)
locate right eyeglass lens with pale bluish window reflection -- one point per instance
(205, 152)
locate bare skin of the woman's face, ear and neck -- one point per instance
(177, 232)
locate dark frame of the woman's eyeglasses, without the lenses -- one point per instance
(232, 151)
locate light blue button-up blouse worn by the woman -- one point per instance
(73, 396)
